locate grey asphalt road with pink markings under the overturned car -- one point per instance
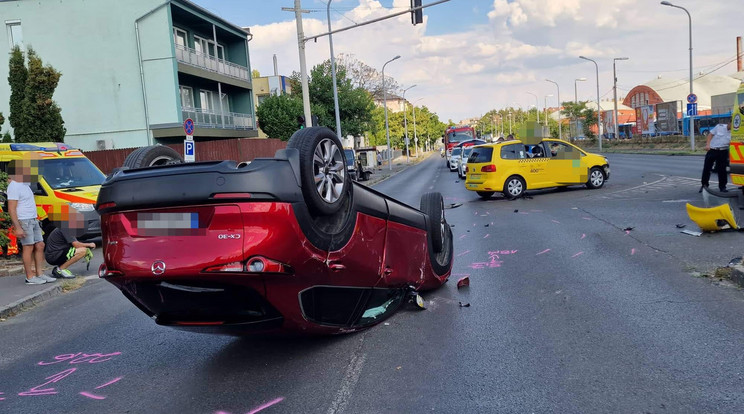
(569, 313)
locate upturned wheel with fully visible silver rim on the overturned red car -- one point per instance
(330, 166)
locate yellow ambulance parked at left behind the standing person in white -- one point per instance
(67, 179)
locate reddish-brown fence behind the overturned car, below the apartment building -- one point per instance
(242, 149)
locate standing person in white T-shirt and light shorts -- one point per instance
(22, 210)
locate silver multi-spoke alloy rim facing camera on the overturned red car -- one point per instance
(329, 171)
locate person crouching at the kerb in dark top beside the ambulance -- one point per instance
(63, 249)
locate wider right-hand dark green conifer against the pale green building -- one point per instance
(41, 117)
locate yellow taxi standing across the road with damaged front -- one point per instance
(514, 166)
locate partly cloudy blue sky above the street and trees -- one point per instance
(470, 56)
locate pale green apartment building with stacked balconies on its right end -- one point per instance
(133, 71)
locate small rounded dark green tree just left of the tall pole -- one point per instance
(277, 115)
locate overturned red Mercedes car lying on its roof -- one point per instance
(288, 243)
